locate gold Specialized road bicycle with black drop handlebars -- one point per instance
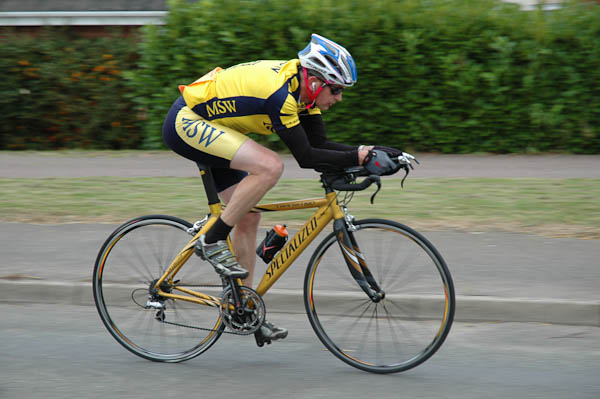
(377, 293)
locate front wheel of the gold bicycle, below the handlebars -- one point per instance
(406, 327)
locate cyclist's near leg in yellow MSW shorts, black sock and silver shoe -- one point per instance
(232, 156)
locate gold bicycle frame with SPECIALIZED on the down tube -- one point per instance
(327, 209)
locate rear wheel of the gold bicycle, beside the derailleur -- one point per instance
(134, 256)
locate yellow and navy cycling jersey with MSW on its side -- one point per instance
(256, 97)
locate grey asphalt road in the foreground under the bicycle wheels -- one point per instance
(64, 352)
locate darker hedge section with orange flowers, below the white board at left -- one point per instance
(59, 90)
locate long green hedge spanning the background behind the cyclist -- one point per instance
(452, 76)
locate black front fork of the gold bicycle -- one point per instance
(356, 262)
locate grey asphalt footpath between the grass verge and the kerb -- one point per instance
(490, 264)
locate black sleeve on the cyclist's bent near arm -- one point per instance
(312, 156)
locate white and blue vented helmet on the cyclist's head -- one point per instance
(329, 60)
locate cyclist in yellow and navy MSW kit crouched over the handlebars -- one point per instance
(209, 124)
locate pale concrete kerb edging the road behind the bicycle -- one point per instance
(468, 309)
